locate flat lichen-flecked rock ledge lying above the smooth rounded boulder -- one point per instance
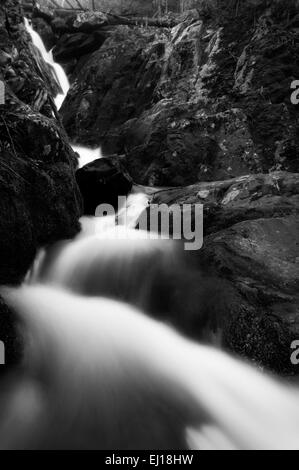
(232, 201)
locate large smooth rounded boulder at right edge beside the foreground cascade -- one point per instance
(260, 259)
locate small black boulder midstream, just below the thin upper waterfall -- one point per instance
(102, 182)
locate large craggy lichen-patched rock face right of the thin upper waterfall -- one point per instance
(207, 100)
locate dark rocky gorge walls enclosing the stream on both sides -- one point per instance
(198, 105)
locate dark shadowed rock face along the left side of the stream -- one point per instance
(39, 199)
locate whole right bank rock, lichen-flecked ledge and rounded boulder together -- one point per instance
(251, 244)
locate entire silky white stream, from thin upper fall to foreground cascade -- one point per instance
(100, 374)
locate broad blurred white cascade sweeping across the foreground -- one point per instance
(99, 374)
